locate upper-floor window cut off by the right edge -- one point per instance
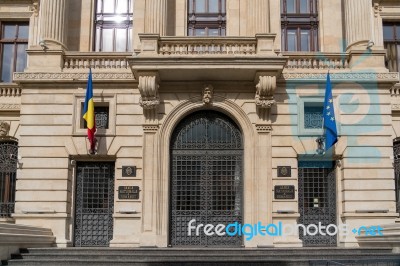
(391, 37)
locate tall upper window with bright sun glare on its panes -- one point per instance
(113, 26)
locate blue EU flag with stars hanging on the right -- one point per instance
(329, 117)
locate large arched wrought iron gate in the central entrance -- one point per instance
(206, 178)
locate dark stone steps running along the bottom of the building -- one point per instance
(209, 256)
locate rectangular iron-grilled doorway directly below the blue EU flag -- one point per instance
(317, 200)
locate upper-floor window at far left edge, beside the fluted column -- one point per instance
(13, 45)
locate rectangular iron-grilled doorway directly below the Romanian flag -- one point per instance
(94, 205)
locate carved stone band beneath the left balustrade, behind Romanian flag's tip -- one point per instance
(64, 76)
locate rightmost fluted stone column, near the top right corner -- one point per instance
(358, 22)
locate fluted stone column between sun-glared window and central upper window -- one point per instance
(156, 17)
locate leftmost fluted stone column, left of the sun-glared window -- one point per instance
(54, 23)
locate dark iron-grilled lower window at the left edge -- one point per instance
(8, 175)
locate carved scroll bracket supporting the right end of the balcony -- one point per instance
(265, 91)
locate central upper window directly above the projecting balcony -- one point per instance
(206, 17)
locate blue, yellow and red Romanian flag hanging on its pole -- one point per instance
(88, 112)
